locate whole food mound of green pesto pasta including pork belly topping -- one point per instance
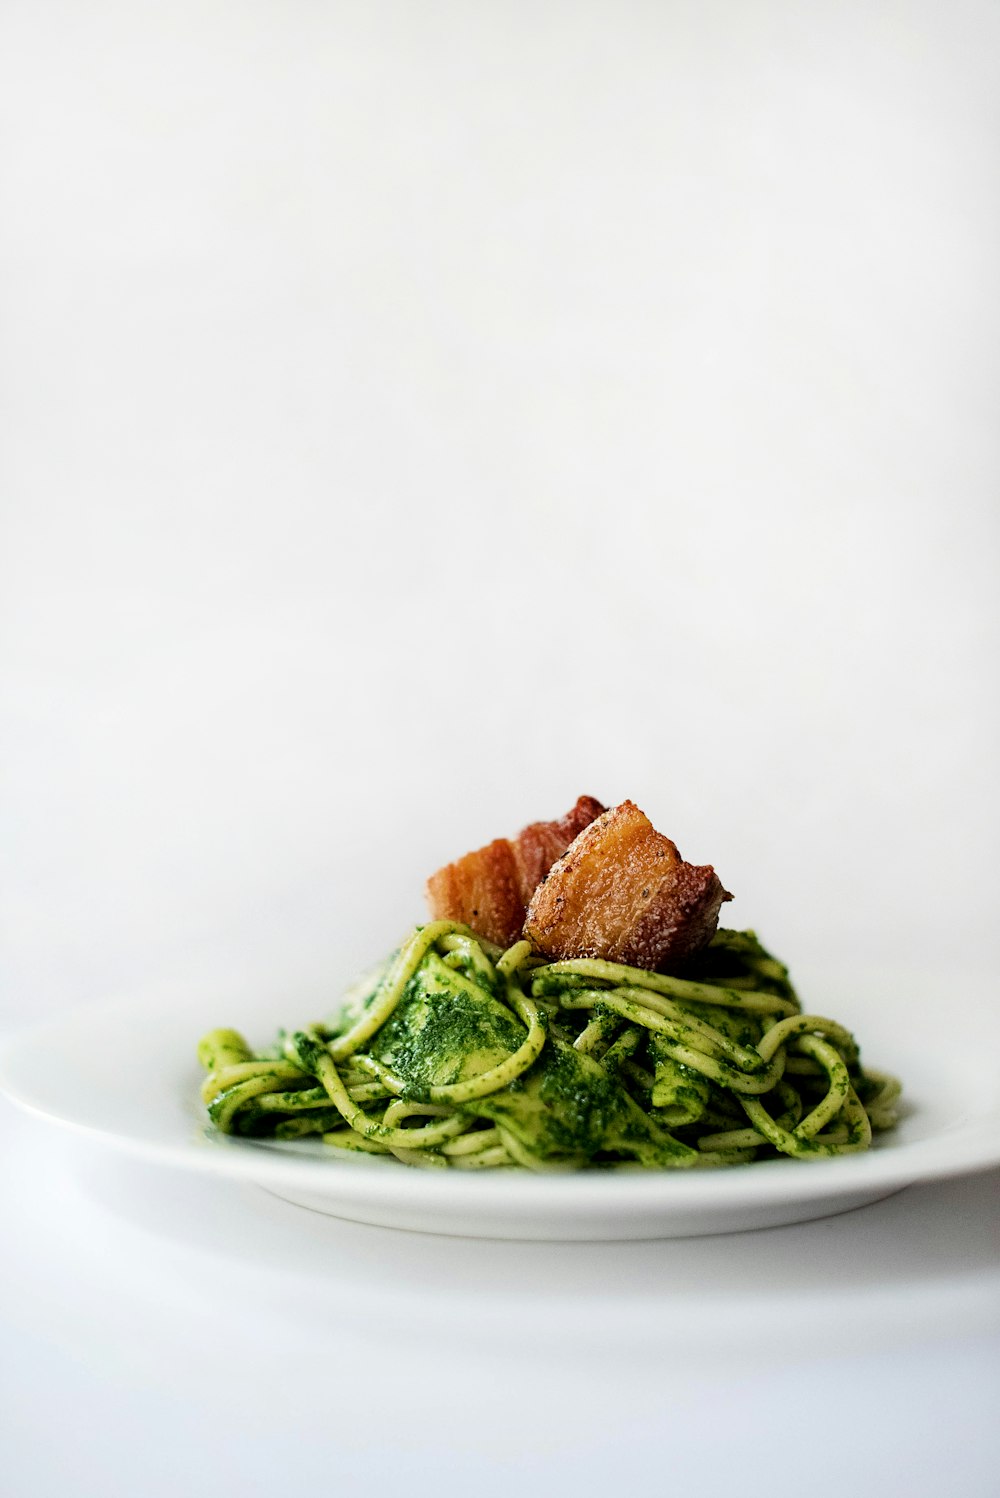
(571, 1004)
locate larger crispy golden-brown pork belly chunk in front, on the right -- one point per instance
(624, 892)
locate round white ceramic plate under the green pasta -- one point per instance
(126, 1072)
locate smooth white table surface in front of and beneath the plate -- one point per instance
(167, 1334)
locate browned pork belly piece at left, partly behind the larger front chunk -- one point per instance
(490, 889)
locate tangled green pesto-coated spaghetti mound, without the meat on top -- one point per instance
(465, 1057)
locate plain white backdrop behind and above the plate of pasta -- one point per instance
(418, 414)
